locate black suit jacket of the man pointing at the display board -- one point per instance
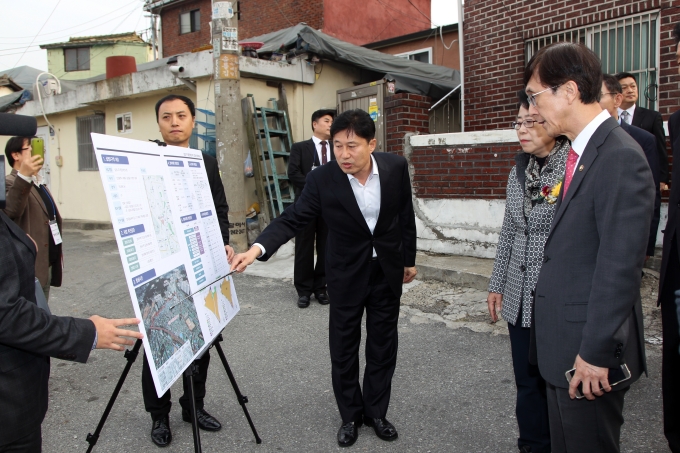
(350, 244)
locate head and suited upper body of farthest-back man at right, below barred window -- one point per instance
(643, 118)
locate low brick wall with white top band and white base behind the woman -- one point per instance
(449, 221)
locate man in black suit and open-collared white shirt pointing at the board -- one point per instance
(365, 199)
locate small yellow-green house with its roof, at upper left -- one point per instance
(85, 57)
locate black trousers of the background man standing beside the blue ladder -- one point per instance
(307, 277)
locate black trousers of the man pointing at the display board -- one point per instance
(382, 314)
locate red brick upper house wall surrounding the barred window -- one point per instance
(495, 32)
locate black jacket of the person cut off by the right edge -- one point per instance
(673, 203)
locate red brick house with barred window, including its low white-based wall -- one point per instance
(460, 179)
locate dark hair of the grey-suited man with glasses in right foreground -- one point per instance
(558, 63)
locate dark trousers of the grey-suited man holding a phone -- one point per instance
(582, 426)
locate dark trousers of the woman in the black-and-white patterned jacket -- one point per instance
(532, 406)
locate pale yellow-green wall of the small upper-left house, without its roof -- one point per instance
(98, 54)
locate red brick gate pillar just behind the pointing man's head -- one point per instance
(405, 112)
